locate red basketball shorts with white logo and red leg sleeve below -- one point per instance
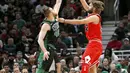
(91, 55)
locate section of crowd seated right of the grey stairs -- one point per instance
(120, 41)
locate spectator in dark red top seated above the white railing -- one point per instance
(114, 43)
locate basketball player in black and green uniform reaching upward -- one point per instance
(47, 37)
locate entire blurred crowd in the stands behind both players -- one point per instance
(20, 24)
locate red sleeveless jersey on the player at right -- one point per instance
(94, 31)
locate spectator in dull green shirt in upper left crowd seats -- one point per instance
(19, 21)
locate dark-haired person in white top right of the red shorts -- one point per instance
(109, 54)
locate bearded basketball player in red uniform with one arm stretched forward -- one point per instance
(93, 33)
